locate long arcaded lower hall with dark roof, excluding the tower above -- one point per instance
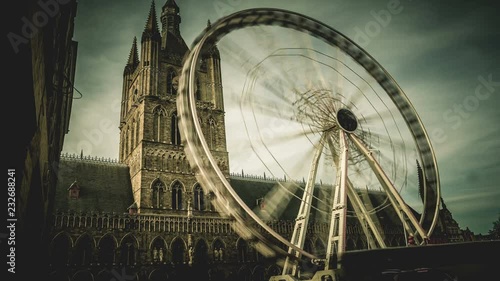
(99, 234)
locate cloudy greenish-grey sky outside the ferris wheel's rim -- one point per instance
(444, 56)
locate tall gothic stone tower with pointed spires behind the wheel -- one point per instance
(150, 142)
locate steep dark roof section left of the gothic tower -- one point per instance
(104, 186)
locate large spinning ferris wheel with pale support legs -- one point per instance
(308, 104)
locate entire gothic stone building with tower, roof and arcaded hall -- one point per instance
(145, 217)
